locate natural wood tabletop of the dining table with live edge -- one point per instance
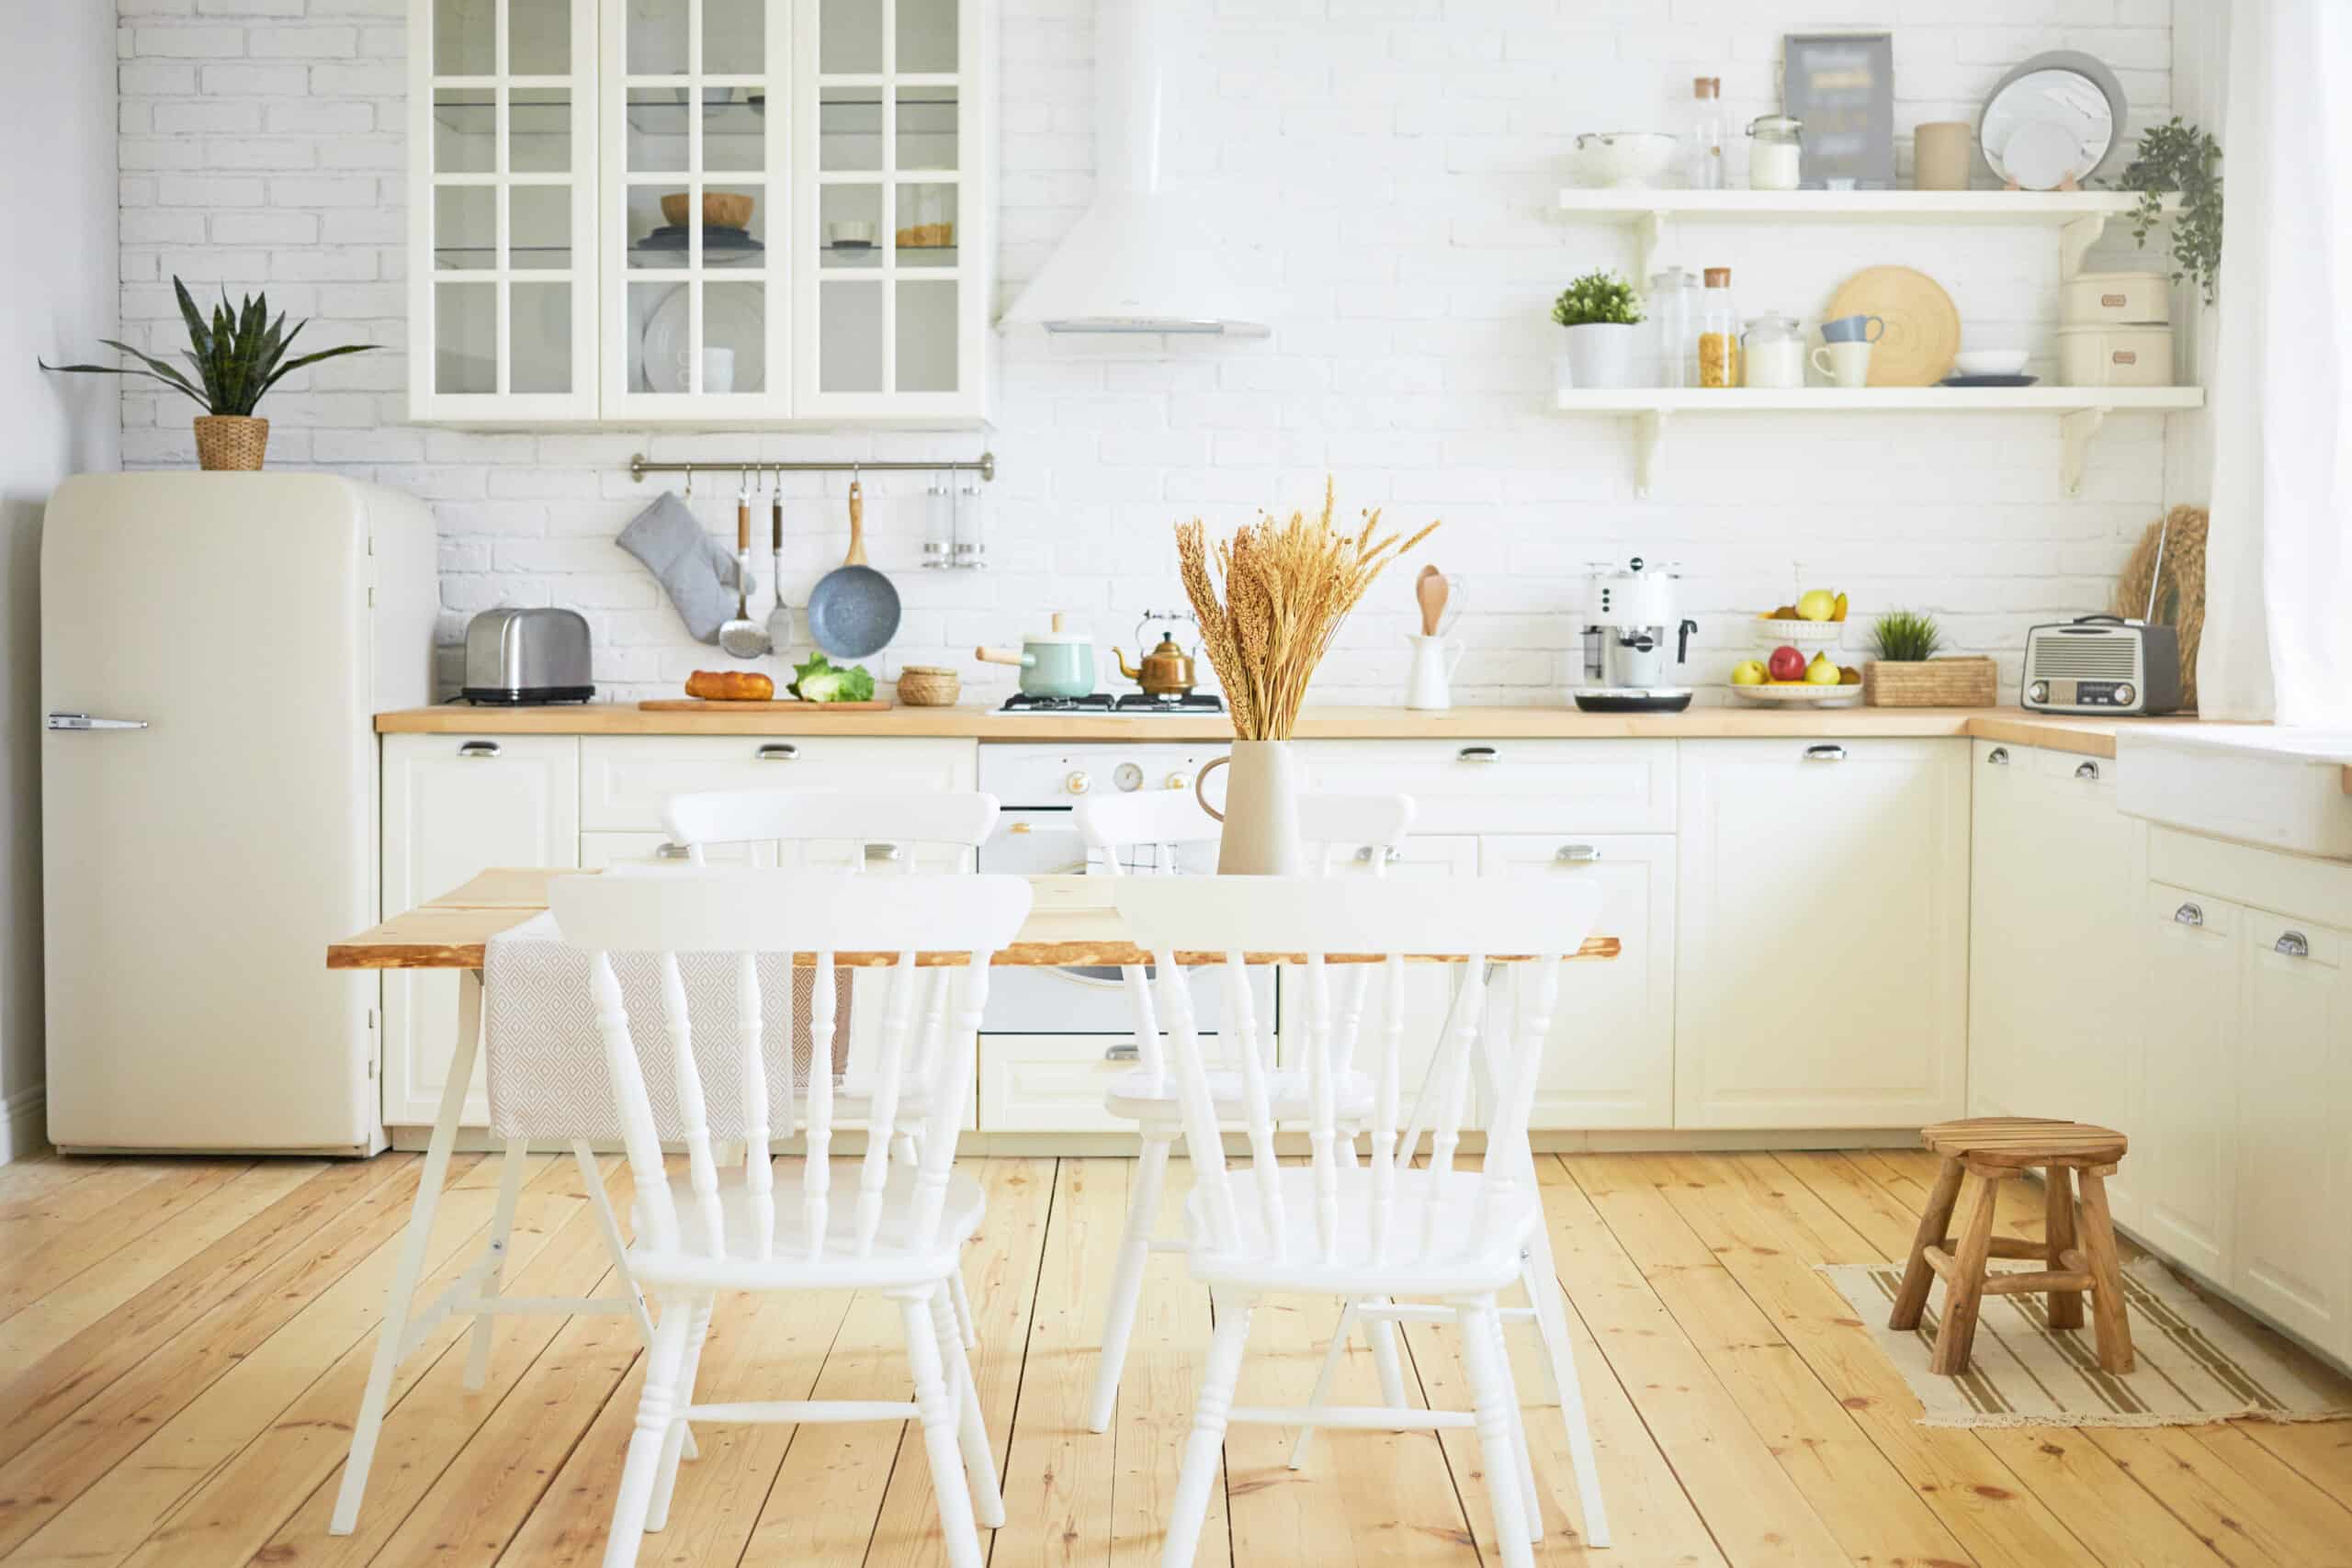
(1069, 925)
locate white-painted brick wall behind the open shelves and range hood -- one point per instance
(1391, 163)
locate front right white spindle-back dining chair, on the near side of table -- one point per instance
(1379, 1231)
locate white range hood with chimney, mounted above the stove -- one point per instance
(1142, 262)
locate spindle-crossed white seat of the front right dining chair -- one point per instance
(1481, 1264)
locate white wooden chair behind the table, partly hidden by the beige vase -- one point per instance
(1149, 833)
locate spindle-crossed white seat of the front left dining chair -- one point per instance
(890, 1264)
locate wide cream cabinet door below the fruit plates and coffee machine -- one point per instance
(1822, 972)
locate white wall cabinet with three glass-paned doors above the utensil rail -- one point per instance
(700, 210)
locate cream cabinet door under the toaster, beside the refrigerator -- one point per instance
(453, 810)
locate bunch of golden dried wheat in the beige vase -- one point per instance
(1285, 591)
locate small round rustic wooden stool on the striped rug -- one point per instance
(1993, 1151)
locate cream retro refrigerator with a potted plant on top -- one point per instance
(213, 655)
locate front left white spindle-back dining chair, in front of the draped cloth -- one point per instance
(895, 1228)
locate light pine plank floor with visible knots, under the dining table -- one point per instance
(185, 1346)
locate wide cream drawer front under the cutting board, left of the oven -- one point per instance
(629, 779)
